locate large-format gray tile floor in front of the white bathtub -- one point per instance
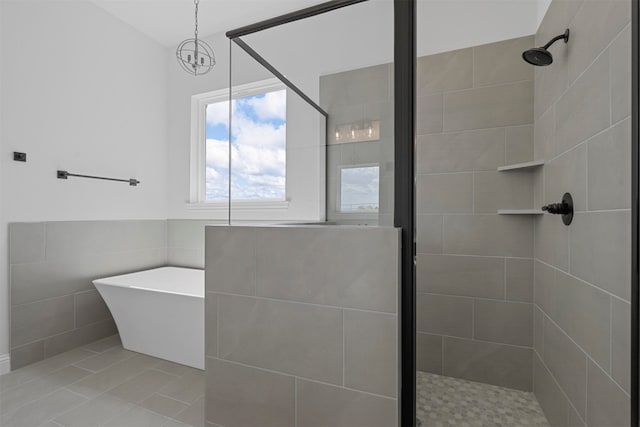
(102, 384)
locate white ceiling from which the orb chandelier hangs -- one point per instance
(171, 21)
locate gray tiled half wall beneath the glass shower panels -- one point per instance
(301, 326)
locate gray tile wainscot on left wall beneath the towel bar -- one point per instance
(54, 305)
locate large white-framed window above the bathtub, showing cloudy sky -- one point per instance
(258, 144)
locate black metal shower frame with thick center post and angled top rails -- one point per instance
(404, 182)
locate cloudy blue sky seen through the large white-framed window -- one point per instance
(258, 148)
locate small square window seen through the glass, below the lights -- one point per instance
(359, 188)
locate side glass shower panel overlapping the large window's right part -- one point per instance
(278, 146)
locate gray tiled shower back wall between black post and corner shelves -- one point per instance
(475, 268)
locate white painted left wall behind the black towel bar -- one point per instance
(83, 92)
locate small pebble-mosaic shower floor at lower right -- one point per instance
(448, 402)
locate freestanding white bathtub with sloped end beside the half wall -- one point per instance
(159, 312)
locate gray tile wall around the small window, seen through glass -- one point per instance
(351, 97)
